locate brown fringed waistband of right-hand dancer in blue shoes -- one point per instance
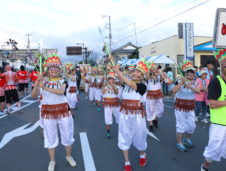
(184, 105)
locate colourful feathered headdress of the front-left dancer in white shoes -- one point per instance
(53, 60)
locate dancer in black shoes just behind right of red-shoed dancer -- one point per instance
(154, 102)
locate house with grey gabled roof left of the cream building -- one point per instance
(124, 51)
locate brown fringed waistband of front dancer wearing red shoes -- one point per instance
(132, 106)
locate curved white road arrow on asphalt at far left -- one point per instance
(18, 132)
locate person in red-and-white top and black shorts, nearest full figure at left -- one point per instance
(11, 93)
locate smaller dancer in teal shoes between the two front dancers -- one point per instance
(110, 102)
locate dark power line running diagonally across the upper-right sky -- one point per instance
(180, 13)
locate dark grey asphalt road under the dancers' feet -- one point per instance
(21, 149)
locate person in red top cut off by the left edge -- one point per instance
(2, 92)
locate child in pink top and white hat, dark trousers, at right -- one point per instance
(200, 99)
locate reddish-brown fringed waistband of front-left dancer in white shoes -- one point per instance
(56, 111)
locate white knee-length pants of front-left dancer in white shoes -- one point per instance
(66, 127)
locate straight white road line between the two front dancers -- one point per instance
(86, 152)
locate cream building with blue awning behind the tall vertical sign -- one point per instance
(173, 47)
